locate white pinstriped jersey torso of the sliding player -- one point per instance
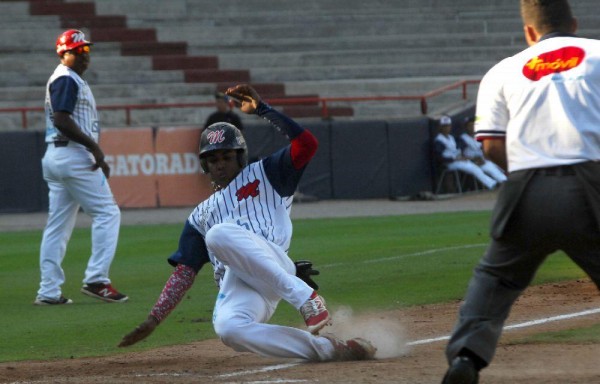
(251, 202)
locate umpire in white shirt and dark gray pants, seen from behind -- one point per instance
(538, 113)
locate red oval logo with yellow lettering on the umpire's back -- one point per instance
(553, 62)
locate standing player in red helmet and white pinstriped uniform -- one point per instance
(77, 174)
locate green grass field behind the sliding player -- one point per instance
(367, 263)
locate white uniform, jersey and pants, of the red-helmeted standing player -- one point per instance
(67, 169)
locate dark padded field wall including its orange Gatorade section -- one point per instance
(158, 167)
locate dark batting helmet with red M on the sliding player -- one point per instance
(222, 136)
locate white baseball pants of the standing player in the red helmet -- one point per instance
(72, 184)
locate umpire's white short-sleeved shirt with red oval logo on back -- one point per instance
(534, 101)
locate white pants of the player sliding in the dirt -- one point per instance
(258, 275)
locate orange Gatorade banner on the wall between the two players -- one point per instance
(155, 167)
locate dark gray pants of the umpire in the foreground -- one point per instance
(553, 213)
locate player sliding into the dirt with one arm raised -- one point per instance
(244, 230)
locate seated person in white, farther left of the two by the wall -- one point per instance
(451, 157)
